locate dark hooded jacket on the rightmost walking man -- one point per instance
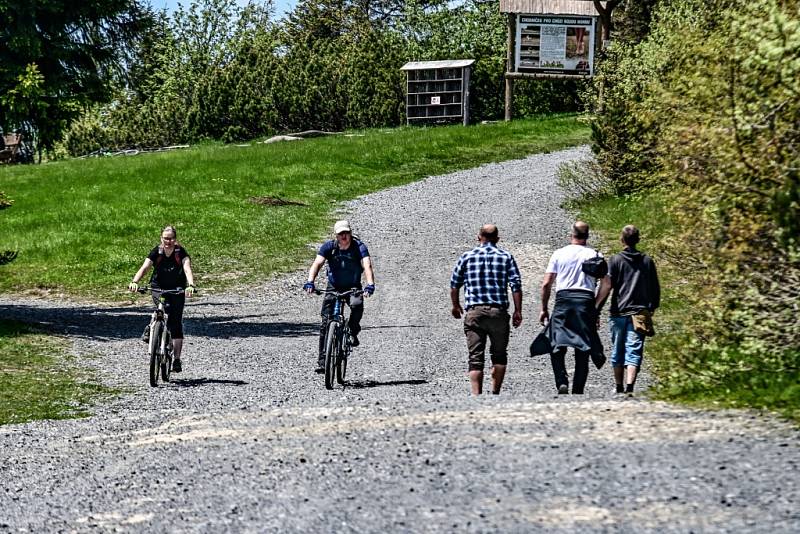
(635, 283)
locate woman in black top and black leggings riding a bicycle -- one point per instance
(173, 269)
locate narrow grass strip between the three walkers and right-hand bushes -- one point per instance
(667, 351)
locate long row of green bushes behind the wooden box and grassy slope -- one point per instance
(329, 66)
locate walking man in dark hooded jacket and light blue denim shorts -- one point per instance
(635, 293)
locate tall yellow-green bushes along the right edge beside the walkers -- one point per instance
(708, 105)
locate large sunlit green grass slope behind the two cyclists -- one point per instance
(83, 227)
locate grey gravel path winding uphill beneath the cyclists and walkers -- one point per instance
(248, 439)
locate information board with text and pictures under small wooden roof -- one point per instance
(555, 44)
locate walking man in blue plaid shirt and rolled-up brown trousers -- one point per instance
(486, 272)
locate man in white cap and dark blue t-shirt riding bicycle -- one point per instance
(347, 257)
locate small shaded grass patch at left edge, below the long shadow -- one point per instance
(37, 378)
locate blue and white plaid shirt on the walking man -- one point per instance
(485, 272)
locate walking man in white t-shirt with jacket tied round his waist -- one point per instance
(574, 319)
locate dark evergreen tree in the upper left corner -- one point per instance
(58, 56)
